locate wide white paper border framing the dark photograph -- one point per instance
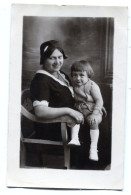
(79, 179)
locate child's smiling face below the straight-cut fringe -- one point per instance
(79, 77)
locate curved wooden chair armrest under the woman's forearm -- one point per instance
(32, 117)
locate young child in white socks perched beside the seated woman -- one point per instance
(88, 101)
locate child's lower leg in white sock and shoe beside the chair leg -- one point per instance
(74, 136)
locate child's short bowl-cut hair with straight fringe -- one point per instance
(82, 65)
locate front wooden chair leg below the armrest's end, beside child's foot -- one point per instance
(66, 148)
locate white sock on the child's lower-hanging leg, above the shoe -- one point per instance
(94, 135)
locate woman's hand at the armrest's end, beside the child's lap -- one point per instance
(76, 115)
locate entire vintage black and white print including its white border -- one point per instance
(70, 66)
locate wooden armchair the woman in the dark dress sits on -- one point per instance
(26, 109)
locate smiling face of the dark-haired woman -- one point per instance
(54, 62)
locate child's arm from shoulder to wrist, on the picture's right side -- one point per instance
(96, 94)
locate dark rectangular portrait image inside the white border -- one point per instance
(67, 71)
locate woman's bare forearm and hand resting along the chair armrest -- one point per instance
(46, 112)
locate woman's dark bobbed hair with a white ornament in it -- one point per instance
(47, 48)
